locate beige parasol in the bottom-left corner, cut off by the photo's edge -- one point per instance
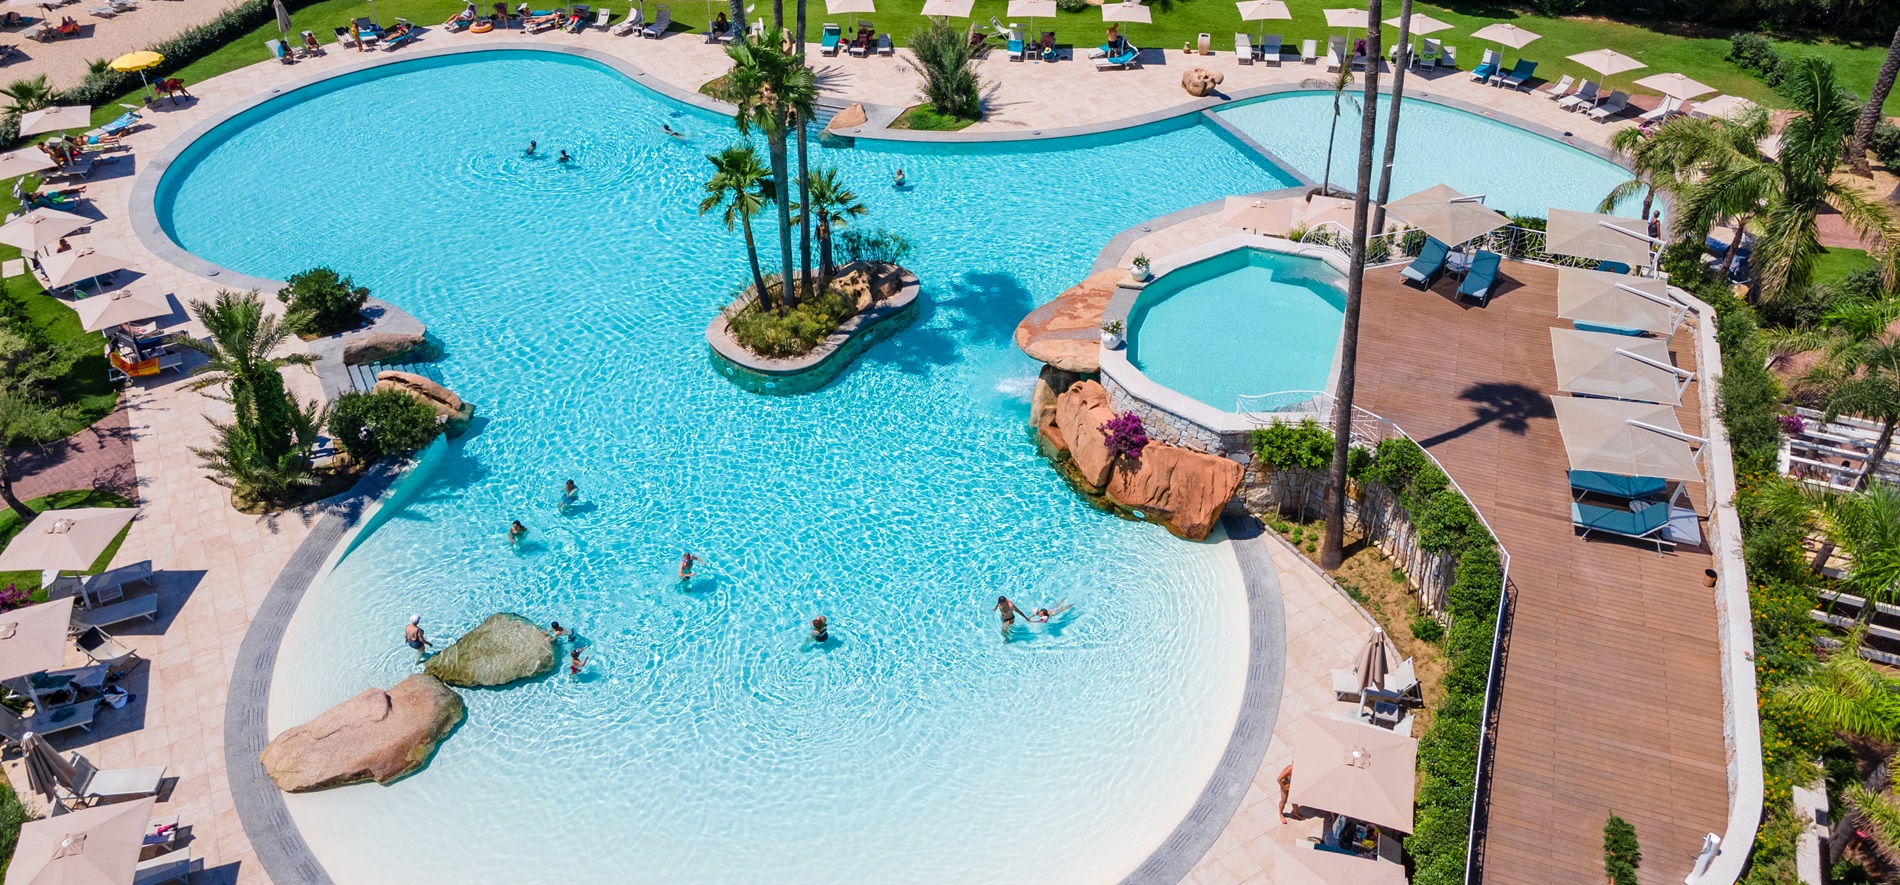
(96, 846)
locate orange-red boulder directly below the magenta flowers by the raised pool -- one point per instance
(1181, 489)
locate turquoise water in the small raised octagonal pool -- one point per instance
(1240, 324)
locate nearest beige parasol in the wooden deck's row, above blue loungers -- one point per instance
(1629, 440)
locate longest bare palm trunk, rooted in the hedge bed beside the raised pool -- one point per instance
(1333, 542)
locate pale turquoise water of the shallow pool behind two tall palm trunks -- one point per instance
(1519, 172)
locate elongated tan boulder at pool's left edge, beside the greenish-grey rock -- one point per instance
(377, 736)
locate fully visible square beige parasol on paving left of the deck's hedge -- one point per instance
(1356, 770)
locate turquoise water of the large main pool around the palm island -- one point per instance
(706, 744)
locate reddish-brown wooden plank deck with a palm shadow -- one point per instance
(1612, 696)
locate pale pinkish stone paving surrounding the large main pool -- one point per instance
(218, 563)
